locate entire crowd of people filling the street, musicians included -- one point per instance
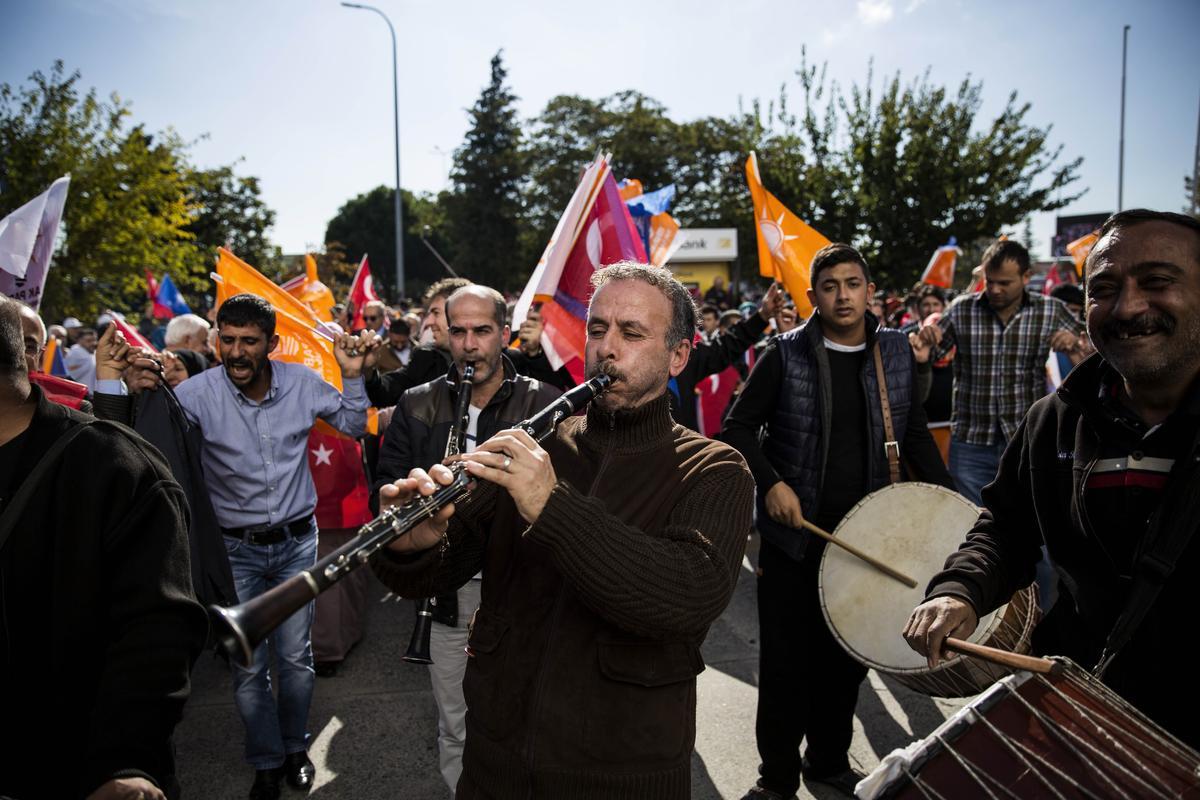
(620, 538)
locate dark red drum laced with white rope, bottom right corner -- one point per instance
(1060, 736)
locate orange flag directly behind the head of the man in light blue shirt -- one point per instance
(302, 338)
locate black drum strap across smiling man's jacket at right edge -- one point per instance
(1155, 567)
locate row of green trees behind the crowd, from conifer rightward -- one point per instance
(893, 167)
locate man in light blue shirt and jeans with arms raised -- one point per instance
(255, 416)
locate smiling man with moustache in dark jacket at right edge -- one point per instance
(1105, 474)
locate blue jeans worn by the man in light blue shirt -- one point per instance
(275, 730)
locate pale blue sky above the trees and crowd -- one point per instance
(302, 92)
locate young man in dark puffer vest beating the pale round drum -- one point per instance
(817, 390)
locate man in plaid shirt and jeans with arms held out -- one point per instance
(1004, 335)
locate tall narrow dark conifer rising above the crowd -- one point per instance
(483, 212)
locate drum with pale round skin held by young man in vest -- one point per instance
(913, 527)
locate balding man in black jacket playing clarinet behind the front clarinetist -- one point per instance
(417, 437)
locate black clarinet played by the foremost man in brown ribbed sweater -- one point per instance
(239, 629)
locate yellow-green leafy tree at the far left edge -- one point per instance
(135, 201)
